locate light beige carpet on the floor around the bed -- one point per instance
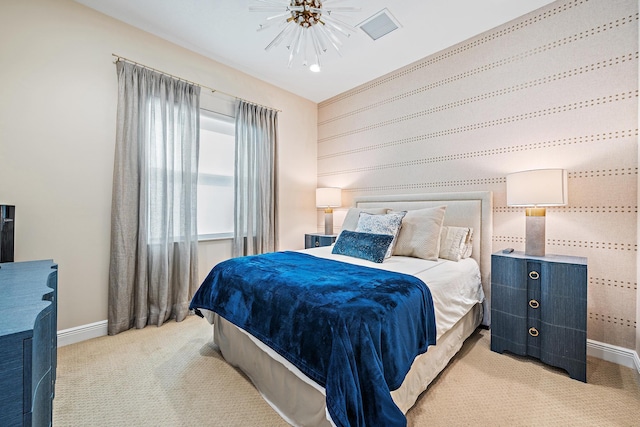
(172, 376)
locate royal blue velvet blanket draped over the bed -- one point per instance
(354, 330)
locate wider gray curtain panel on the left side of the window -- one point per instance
(153, 266)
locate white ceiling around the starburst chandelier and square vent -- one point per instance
(225, 30)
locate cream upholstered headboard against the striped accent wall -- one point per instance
(465, 209)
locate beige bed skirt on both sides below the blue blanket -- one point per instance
(299, 400)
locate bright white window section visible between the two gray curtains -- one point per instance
(215, 176)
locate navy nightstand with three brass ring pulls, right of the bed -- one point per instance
(539, 309)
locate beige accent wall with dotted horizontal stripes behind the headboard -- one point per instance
(557, 88)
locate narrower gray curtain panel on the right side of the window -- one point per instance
(256, 206)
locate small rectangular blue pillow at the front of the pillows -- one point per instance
(371, 247)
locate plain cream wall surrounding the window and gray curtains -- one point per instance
(57, 133)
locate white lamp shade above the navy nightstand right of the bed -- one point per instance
(542, 187)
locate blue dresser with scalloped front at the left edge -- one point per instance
(28, 342)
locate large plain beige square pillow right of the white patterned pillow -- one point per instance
(420, 233)
